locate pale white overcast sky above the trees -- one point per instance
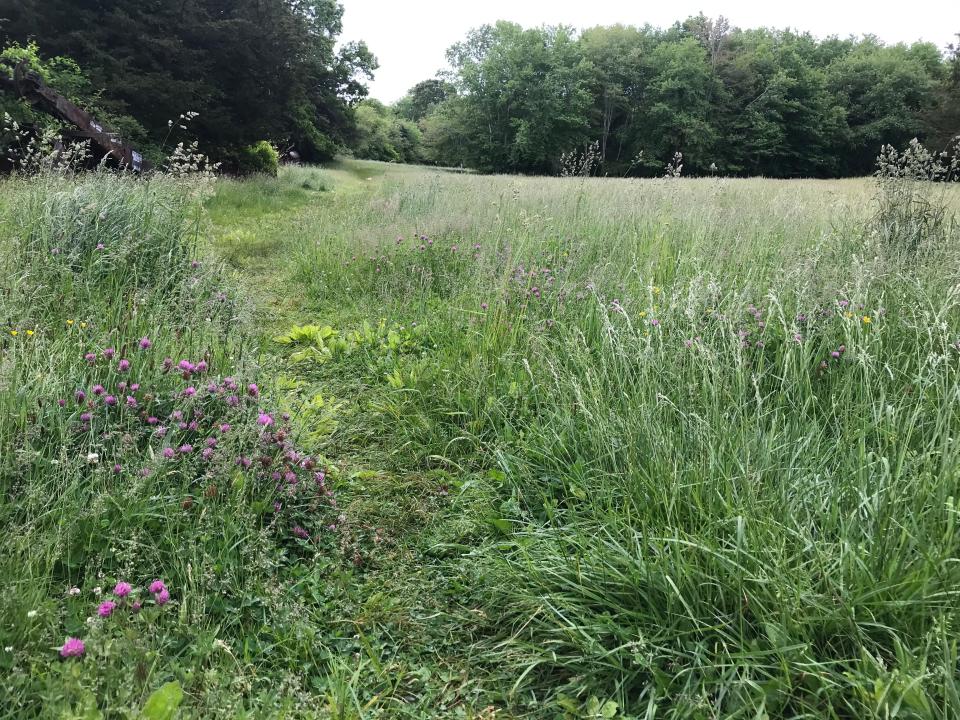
(410, 37)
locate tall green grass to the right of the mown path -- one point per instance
(718, 426)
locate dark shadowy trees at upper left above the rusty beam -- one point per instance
(252, 70)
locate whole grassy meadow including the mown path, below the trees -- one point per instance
(589, 448)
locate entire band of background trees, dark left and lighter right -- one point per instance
(733, 101)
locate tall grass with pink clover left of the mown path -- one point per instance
(136, 447)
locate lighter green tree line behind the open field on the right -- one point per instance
(767, 102)
